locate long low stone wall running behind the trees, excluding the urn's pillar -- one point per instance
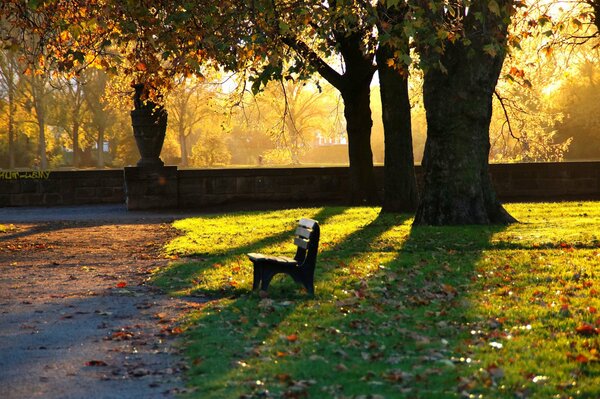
(254, 187)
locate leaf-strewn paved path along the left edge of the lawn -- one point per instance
(77, 319)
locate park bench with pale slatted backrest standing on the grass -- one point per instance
(301, 268)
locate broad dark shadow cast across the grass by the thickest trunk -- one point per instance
(402, 318)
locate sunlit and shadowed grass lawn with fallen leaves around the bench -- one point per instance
(428, 312)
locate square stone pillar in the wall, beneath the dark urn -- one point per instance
(151, 187)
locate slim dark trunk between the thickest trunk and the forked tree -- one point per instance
(400, 186)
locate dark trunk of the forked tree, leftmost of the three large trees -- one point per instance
(357, 110)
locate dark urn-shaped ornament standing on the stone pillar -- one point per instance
(149, 123)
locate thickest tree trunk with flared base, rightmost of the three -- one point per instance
(458, 104)
